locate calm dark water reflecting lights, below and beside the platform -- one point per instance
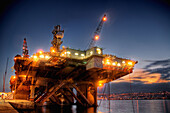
(116, 106)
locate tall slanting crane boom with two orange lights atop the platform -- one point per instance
(96, 34)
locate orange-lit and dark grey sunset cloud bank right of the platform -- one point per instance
(154, 72)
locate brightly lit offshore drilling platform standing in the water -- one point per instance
(66, 76)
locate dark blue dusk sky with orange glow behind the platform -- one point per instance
(135, 29)
